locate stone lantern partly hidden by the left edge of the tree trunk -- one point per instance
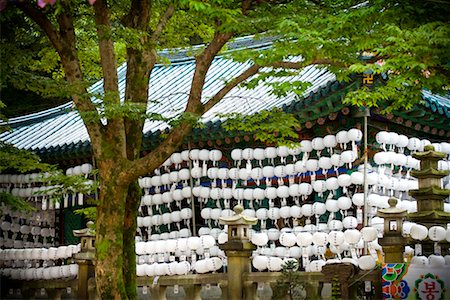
(85, 259)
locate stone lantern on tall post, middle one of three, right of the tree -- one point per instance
(238, 249)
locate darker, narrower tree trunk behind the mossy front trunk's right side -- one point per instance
(129, 234)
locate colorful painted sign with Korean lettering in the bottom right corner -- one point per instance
(406, 281)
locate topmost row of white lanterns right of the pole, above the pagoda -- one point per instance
(394, 141)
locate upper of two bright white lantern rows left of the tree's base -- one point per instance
(52, 253)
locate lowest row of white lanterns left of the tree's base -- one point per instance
(46, 273)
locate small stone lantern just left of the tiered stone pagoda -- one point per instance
(393, 241)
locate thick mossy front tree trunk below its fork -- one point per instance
(109, 238)
